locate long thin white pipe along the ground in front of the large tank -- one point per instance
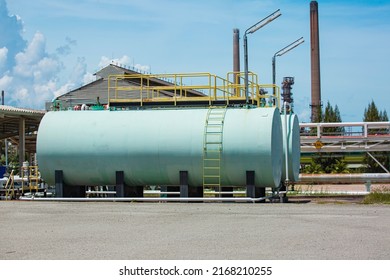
(147, 199)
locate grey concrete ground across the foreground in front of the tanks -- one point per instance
(107, 230)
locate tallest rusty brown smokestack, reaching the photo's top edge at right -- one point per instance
(315, 63)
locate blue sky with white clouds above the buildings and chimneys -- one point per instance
(52, 46)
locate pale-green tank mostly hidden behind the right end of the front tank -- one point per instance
(293, 145)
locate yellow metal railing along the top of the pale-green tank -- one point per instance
(191, 87)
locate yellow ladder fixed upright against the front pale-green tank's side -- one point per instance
(212, 148)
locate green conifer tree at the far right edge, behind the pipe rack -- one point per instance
(372, 114)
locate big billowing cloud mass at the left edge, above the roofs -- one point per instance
(28, 72)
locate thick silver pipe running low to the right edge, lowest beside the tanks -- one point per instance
(345, 178)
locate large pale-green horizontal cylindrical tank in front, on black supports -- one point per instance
(153, 146)
